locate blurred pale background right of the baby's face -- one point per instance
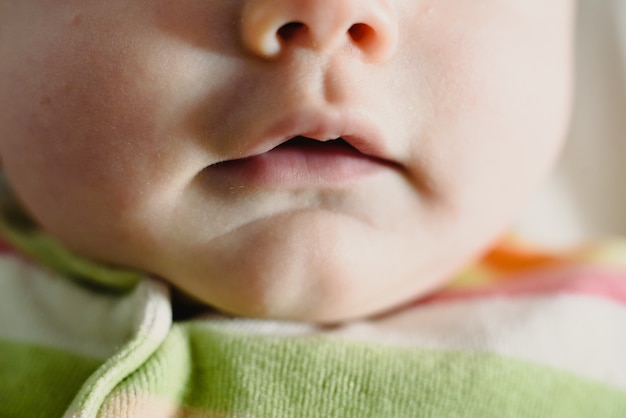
(586, 196)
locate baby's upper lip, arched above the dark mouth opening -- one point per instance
(355, 129)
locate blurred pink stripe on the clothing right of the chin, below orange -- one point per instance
(590, 281)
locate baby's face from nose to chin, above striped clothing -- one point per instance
(158, 134)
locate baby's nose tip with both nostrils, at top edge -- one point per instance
(270, 27)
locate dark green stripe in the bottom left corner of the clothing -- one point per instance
(39, 382)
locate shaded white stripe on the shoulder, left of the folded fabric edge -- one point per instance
(39, 308)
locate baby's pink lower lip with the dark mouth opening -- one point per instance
(318, 163)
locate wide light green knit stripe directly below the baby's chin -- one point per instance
(210, 370)
